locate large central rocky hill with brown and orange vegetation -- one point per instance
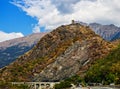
(64, 52)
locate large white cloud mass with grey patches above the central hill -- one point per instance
(52, 13)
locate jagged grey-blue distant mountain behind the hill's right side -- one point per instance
(108, 32)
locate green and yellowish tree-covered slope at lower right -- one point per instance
(106, 70)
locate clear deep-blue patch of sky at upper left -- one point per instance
(13, 19)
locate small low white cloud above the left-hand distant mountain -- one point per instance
(7, 36)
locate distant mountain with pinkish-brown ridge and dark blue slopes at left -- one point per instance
(11, 49)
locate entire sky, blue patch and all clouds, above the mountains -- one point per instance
(19, 18)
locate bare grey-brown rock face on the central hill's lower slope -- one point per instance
(67, 64)
